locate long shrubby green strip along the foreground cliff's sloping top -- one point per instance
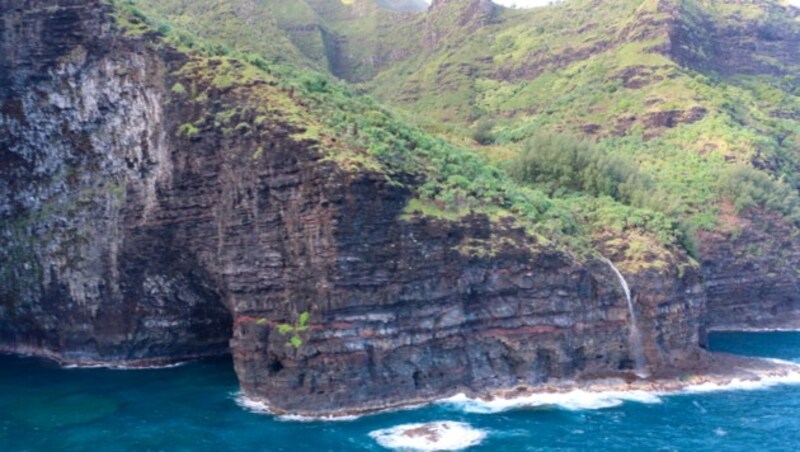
(360, 134)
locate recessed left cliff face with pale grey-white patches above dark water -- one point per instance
(84, 155)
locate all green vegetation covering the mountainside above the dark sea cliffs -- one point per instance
(583, 126)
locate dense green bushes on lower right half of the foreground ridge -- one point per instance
(457, 180)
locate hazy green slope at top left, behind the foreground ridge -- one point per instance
(352, 39)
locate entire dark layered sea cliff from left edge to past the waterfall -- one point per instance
(129, 237)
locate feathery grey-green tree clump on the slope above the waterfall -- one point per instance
(604, 190)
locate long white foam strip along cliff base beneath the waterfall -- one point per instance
(573, 400)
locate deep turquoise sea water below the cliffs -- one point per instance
(193, 407)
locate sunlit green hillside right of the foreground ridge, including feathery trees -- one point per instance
(671, 141)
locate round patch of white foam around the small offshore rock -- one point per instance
(435, 436)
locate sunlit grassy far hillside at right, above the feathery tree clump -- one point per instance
(603, 67)
